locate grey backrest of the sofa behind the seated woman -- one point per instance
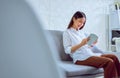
(58, 42)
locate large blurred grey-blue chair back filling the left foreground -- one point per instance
(24, 50)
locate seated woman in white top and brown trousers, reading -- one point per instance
(75, 44)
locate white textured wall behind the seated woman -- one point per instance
(56, 15)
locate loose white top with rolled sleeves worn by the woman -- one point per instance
(73, 37)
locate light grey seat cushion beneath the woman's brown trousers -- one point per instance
(77, 70)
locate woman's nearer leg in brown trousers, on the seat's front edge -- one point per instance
(101, 62)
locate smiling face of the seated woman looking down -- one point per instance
(78, 23)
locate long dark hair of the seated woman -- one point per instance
(77, 15)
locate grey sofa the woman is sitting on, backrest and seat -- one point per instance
(71, 70)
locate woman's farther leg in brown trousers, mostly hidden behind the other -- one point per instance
(115, 59)
